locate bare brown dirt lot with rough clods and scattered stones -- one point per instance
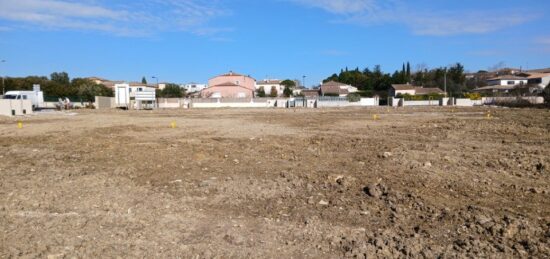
(326, 183)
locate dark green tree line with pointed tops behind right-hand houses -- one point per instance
(370, 81)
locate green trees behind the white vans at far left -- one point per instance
(59, 85)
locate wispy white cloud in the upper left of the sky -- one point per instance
(138, 18)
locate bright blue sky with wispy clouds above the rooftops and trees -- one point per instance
(192, 40)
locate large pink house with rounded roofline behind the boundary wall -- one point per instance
(230, 85)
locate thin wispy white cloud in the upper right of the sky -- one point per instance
(420, 22)
